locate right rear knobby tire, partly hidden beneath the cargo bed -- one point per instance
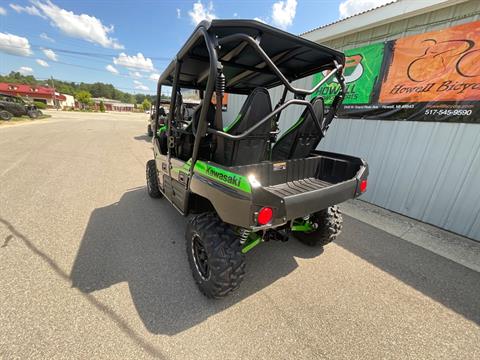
(329, 223)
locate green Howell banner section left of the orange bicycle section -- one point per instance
(362, 68)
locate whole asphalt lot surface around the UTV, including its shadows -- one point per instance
(91, 267)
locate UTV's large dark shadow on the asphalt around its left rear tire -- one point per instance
(141, 241)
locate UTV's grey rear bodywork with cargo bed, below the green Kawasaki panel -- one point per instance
(292, 188)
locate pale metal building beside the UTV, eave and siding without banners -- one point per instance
(426, 170)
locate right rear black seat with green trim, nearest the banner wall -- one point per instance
(302, 138)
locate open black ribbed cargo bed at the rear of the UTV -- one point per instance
(302, 186)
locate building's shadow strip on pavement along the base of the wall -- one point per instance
(441, 279)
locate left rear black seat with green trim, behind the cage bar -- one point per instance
(254, 148)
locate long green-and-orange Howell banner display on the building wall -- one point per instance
(433, 76)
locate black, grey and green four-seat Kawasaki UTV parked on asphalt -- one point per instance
(244, 183)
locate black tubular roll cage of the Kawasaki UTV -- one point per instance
(212, 43)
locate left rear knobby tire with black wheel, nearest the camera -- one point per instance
(209, 238)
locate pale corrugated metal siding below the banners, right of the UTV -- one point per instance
(428, 171)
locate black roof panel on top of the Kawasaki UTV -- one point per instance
(243, 67)
